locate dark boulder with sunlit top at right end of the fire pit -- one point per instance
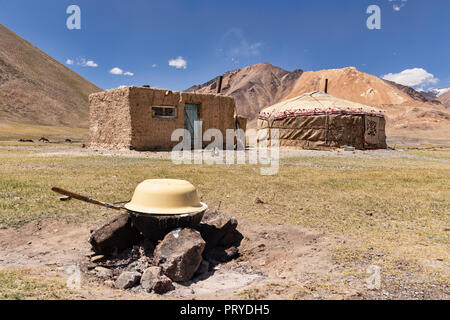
(219, 229)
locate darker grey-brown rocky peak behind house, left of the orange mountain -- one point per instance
(253, 87)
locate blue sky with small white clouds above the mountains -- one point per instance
(140, 37)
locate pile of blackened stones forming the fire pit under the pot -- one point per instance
(124, 258)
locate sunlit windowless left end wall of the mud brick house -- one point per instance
(110, 120)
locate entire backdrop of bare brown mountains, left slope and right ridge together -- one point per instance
(35, 89)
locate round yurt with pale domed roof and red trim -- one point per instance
(319, 120)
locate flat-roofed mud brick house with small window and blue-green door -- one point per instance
(143, 118)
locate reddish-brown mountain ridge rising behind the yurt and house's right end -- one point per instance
(411, 117)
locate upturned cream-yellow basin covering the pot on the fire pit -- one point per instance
(165, 197)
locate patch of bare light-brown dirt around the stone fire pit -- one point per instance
(272, 255)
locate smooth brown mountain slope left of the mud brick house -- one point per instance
(36, 89)
